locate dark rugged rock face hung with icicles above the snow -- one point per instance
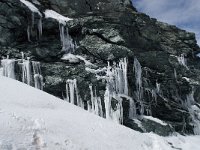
(107, 30)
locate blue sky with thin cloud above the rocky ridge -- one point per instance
(182, 13)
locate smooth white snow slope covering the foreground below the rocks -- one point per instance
(33, 120)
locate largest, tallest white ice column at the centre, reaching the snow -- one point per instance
(116, 84)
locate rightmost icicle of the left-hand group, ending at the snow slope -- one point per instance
(38, 78)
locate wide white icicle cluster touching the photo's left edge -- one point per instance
(8, 68)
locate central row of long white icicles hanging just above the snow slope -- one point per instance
(116, 88)
